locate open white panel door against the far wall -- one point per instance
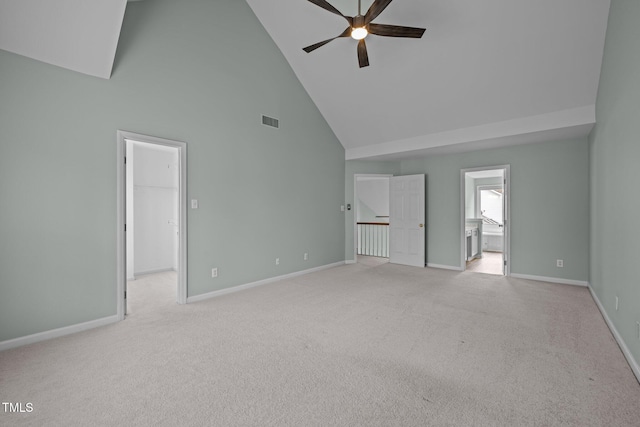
(406, 220)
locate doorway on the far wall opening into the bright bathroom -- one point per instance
(484, 227)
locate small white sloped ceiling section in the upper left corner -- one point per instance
(80, 35)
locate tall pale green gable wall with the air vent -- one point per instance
(195, 71)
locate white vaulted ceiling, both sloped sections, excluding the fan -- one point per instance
(485, 74)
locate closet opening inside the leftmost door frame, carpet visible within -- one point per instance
(153, 177)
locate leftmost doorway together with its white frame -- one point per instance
(151, 219)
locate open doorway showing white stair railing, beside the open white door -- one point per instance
(371, 199)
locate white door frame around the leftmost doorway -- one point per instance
(121, 193)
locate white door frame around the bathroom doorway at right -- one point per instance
(507, 216)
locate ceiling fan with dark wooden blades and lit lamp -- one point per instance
(360, 26)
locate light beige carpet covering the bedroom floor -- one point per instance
(357, 345)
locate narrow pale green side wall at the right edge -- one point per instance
(615, 162)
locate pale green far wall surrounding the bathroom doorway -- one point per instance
(552, 175)
